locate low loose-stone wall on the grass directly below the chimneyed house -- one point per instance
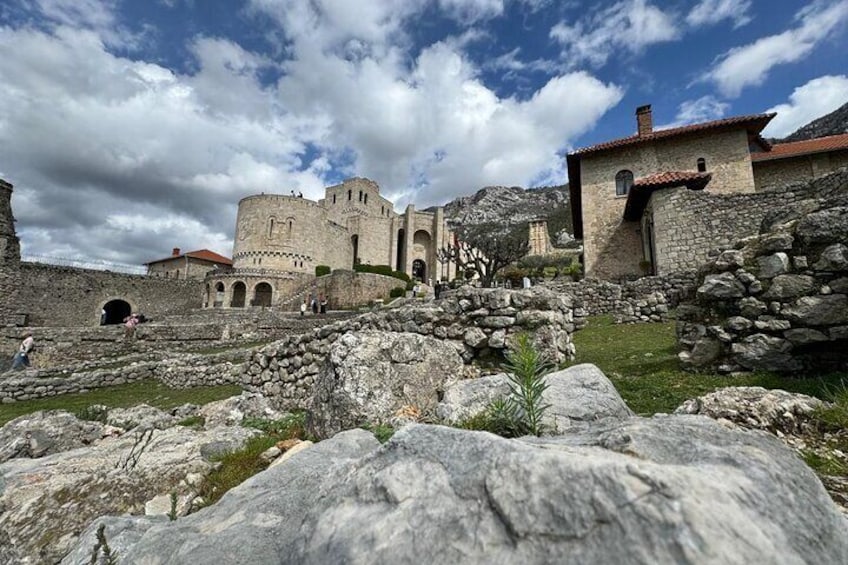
(647, 299)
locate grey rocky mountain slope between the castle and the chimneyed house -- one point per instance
(513, 205)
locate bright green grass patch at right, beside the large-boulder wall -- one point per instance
(641, 361)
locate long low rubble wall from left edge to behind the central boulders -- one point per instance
(478, 322)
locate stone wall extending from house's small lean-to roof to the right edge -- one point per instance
(689, 224)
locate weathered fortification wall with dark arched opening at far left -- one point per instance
(63, 296)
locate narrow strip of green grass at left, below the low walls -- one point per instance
(149, 392)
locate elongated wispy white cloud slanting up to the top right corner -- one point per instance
(750, 64)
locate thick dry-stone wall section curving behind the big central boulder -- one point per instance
(480, 322)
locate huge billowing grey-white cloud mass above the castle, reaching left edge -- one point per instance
(94, 141)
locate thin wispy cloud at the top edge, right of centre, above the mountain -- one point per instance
(629, 25)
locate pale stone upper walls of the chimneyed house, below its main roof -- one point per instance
(612, 247)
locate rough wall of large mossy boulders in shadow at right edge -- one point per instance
(779, 300)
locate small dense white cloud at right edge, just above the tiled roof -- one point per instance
(812, 100)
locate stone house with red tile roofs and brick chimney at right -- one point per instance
(614, 184)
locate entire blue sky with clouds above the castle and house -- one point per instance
(129, 127)
